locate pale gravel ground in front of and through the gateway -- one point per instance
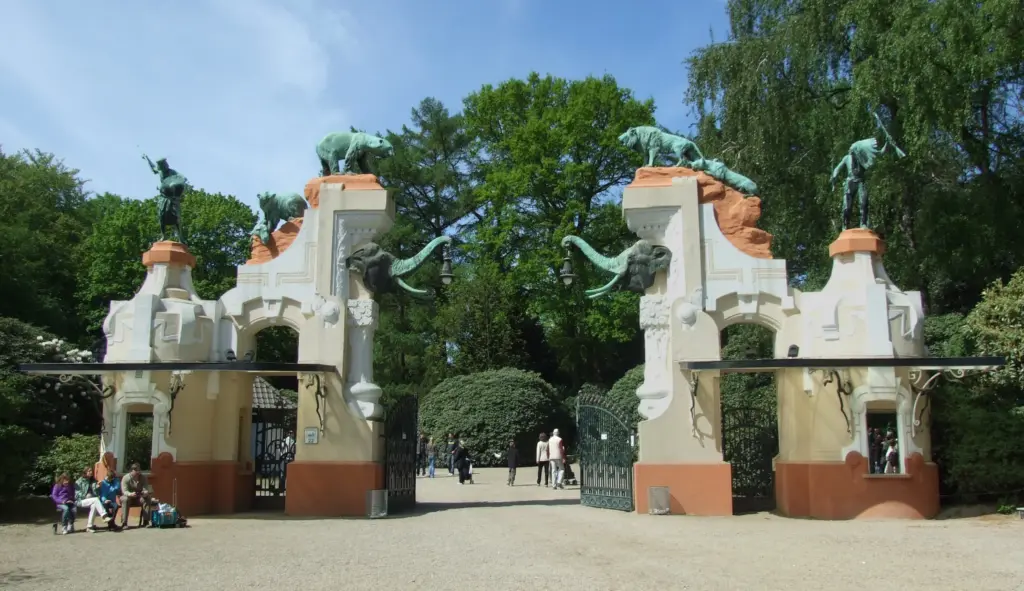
(488, 537)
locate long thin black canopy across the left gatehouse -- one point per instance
(259, 368)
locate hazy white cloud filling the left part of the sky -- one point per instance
(235, 95)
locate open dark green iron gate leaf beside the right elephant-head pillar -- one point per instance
(606, 445)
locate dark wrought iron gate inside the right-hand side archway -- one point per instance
(750, 444)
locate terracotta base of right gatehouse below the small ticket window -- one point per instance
(846, 491)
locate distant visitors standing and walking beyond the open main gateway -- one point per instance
(550, 459)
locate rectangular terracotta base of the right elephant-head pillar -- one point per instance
(694, 489)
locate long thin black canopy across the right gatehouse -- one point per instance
(921, 364)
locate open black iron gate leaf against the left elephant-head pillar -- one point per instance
(400, 448)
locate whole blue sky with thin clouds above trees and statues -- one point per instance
(237, 94)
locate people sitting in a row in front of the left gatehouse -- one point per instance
(102, 499)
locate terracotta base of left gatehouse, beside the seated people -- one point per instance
(203, 488)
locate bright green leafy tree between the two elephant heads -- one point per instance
(547, 162)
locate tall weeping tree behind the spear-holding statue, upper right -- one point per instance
(792, 89)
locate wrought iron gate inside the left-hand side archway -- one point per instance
(273, 451)
